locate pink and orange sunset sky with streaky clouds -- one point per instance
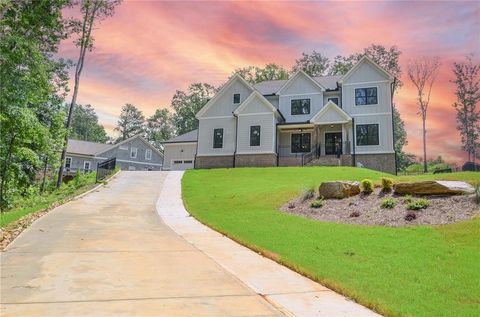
(150, 49)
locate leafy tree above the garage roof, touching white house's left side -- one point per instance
(187, 104)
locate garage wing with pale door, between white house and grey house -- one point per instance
(179, 152)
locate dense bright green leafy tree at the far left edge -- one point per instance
(31, 87)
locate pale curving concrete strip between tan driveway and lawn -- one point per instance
(289, 291)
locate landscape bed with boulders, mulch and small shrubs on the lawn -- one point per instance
(341, 202)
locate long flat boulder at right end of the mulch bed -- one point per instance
(433, 188)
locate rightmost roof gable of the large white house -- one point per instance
(365, 70)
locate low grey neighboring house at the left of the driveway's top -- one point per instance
(133, 154)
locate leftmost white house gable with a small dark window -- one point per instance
(222, 104)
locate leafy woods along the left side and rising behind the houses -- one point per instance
(35, 119)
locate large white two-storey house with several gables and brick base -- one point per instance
(331, 120)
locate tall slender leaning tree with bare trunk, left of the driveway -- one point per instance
(93, 11)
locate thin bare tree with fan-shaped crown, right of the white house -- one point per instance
(422, 74)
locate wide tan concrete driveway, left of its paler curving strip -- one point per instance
(109, 254)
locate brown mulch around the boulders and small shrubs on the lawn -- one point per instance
(365, 210)
